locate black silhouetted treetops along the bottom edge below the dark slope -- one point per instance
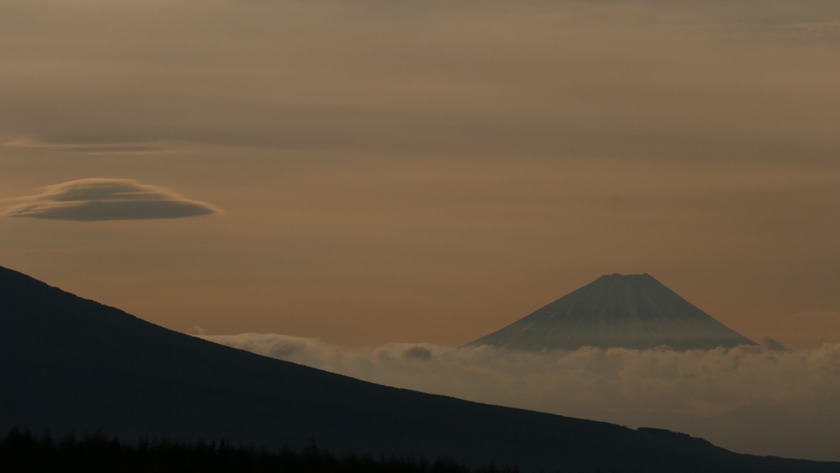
(23, 450)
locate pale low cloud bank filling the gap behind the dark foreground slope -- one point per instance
(749, 399)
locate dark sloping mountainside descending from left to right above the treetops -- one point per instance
(68, 365)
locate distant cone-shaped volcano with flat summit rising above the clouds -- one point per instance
(616, 311)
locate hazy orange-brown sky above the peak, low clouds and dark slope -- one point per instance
(377, 171)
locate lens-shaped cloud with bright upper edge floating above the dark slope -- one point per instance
(87, 200)
